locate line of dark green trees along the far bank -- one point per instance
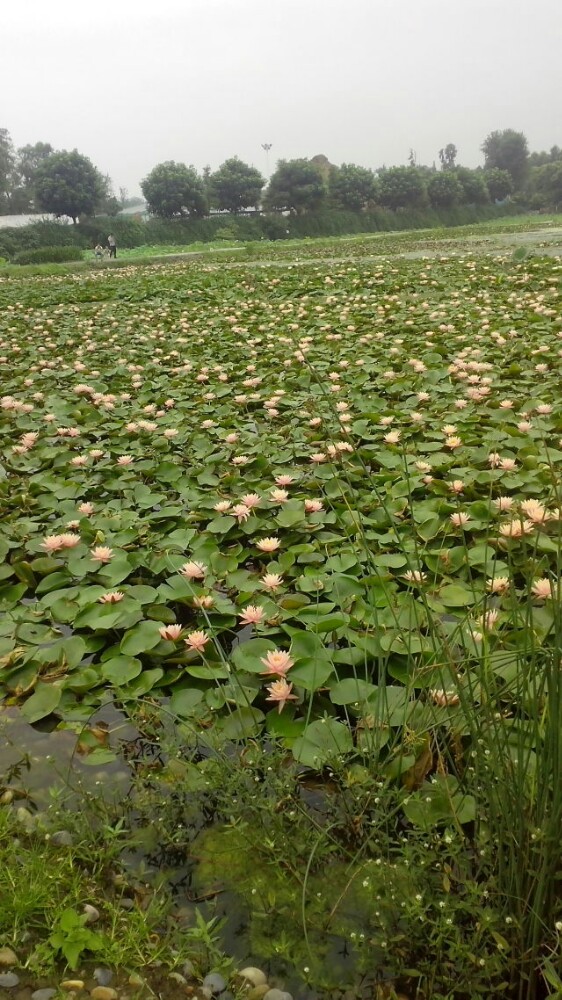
(39, 178)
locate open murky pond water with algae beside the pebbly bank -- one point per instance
(202, 872)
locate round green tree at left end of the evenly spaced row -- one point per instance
(173, 189)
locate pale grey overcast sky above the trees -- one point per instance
(133, 82)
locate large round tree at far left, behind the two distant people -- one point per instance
(67, 183)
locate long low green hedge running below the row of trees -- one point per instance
(134, 233)
